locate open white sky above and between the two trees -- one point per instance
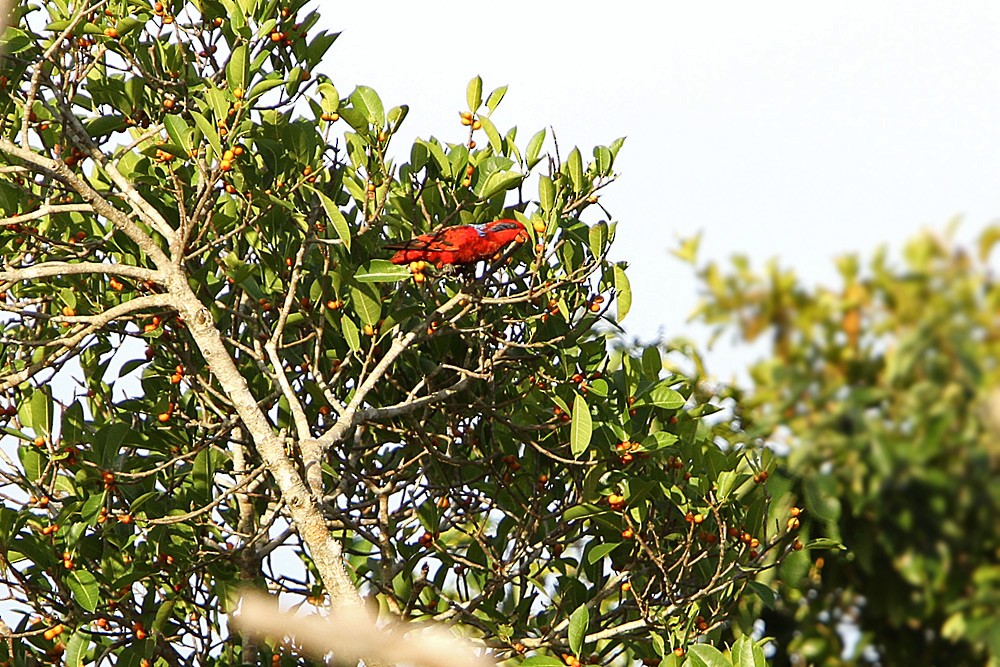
(796, 129)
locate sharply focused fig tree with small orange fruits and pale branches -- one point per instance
(193, 237)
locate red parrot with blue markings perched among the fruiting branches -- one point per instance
(462, 244)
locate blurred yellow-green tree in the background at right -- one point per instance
(884, 391)
